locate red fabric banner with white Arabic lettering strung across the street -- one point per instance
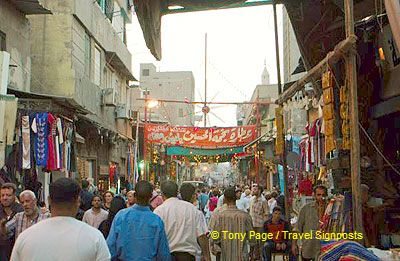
(195, 137)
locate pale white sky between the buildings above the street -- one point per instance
(239, 42)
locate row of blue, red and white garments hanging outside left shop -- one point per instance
(45, 141)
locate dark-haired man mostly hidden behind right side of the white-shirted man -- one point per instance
(188, 194)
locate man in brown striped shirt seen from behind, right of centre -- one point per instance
(235, 221)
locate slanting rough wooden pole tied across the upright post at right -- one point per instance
(340, 50)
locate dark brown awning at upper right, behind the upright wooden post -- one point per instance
(318, 25)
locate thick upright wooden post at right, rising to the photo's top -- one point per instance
(351, 73)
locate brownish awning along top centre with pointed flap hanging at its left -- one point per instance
(149, 14)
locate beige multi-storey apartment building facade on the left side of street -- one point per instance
(79, 54)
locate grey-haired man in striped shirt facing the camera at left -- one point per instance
(23, 220)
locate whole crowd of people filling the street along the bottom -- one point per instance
(151, 223)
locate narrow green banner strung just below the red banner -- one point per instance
(181, 151)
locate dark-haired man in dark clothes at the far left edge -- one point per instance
(8, 208)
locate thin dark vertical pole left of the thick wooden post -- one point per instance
(278, 68)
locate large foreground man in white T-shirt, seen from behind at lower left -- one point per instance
(61, 237)
